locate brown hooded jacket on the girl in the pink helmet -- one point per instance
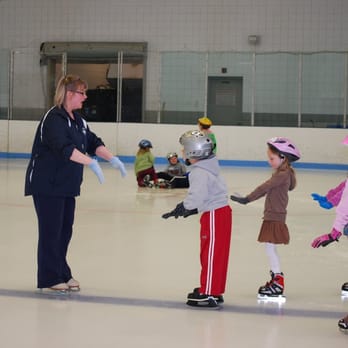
(276, 191)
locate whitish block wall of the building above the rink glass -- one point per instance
(181, 25)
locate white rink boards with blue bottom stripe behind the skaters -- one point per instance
(237, 145)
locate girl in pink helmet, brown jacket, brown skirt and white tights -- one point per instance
(281, 152)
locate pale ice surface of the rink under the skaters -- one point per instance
(136, 269)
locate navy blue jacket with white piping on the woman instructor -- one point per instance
(50, 171)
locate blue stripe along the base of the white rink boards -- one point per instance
(225, 163)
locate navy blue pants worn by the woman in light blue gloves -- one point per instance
(55, 219)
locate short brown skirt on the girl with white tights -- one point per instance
(275, 232)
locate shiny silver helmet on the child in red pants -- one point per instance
(196, 145)
